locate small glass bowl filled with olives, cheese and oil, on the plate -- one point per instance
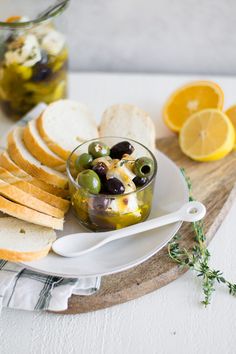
(114, 182)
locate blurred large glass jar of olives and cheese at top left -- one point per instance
(33, 55)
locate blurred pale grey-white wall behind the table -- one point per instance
(145, 35)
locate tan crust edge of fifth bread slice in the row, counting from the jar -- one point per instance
(17, 195)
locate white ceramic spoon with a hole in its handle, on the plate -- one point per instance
(75, 245)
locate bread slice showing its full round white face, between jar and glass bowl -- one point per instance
(64, 125)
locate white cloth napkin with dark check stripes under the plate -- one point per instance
(24, 289)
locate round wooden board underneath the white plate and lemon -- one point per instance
(214, 185)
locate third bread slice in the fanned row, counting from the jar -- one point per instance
(23, 158)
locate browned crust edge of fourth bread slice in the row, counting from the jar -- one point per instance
(7, 163)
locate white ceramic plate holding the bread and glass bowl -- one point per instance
(170, 193)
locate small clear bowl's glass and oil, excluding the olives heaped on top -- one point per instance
(103, 212)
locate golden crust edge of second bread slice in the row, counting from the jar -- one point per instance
(48, 159)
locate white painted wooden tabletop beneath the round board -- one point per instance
(170, 320)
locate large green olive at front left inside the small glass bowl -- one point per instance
(89, 180)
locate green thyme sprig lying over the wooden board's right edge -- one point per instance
(198, 257)
